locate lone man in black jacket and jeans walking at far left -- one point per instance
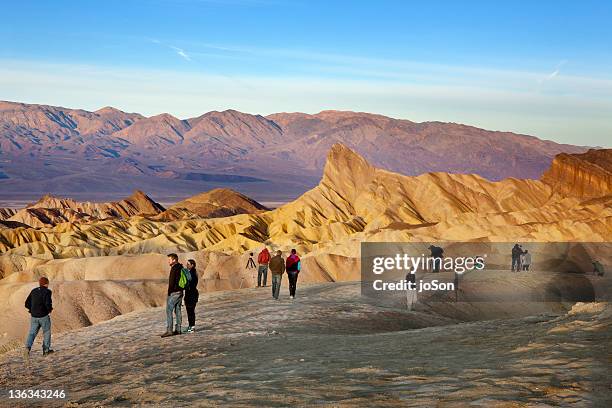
(39, 305)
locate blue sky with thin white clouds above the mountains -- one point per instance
(541, 68)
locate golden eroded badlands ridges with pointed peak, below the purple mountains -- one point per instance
(108, 258)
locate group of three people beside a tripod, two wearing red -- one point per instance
(277, 266)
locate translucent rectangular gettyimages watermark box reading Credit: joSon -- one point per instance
(486, 271)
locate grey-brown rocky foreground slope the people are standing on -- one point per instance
(329, 346)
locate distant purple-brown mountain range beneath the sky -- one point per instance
(277, 157)
